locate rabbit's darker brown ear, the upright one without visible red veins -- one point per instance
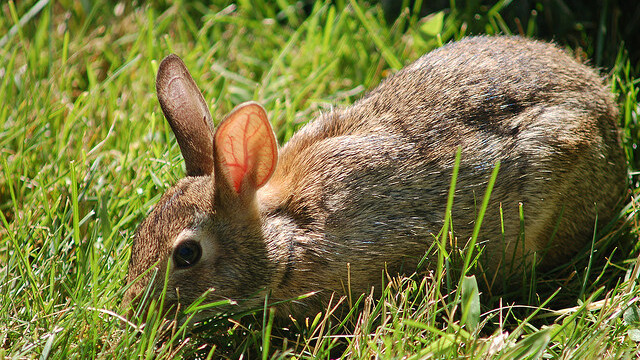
(187, 113)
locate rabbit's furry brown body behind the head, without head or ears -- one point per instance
(371, 181)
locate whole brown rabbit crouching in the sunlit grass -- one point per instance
(363, 189)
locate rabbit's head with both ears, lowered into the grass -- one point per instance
(204, 234)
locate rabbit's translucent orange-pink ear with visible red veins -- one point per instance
(246, 152)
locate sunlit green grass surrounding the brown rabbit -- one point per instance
(85, 153)
